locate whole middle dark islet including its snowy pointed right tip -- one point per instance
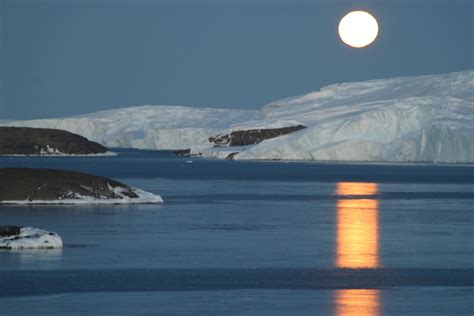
(47, 186)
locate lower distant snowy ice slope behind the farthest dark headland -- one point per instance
(148, 127)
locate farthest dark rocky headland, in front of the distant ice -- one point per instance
(44, 141)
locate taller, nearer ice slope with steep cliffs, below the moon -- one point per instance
(426, 118)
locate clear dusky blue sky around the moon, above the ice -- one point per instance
(72, 57)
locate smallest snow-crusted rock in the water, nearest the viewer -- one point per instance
(12, 237)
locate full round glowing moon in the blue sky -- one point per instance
(358, 29)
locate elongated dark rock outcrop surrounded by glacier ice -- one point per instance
(253, 136)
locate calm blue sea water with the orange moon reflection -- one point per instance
(251, 238)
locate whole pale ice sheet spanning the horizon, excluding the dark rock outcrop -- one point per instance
(406, 119)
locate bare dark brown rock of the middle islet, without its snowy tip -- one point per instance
(21, 184)
